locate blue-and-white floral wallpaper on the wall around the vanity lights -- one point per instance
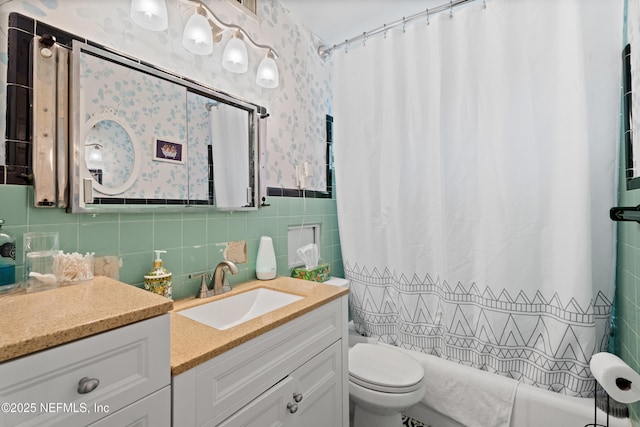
(297, 108)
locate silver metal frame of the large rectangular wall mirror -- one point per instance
(78, 177)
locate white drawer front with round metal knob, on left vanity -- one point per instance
(130, 363)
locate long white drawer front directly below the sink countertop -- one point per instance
(214, 390)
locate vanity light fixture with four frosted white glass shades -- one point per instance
(203, 29)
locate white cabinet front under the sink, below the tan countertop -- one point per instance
(294, 375)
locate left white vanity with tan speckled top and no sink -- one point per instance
(87, 354)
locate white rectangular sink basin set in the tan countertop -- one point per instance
(234, 310)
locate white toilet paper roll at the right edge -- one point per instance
(617, 378)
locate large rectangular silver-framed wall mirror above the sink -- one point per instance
(143, 138)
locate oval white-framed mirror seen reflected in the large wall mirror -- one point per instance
(111, 155)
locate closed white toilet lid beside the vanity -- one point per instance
(385, 369)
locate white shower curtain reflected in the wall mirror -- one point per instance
(229, 128)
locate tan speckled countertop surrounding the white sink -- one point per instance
(193, 343)
